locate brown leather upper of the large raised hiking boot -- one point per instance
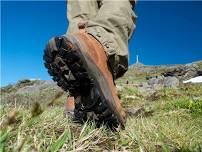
(97, 54)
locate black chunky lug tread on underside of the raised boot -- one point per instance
(60, 57)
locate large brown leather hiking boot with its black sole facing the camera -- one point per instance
(83, 56)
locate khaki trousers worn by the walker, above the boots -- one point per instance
(111, 22)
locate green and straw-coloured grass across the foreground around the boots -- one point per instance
(174, 125)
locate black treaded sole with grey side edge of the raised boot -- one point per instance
(61, 57)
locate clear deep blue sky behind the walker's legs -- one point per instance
(166, 33)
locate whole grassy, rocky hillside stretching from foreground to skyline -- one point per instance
(163, 114)
